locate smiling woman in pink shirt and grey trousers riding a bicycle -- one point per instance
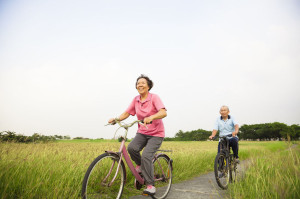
(148, 107)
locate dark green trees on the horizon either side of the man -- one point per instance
(266, 131)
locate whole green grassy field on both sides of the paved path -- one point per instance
(56, 170)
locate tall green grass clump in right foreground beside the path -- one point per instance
(271, 176)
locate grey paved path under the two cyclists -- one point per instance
(202, 187)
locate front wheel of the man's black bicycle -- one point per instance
(222, 170)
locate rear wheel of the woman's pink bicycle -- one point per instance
(162, 175)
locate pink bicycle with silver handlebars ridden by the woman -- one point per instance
(106, 176)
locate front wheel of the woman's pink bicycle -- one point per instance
(103, 178)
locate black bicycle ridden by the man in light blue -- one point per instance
(225, 166)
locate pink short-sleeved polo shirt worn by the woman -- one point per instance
(145, 109)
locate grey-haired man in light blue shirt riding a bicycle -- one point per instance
(226, 125)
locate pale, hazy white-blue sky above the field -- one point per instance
(67, 67)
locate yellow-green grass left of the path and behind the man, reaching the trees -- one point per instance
(56, 170)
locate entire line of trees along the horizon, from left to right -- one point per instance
(266, 131)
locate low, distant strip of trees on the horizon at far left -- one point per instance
(9, 136)
